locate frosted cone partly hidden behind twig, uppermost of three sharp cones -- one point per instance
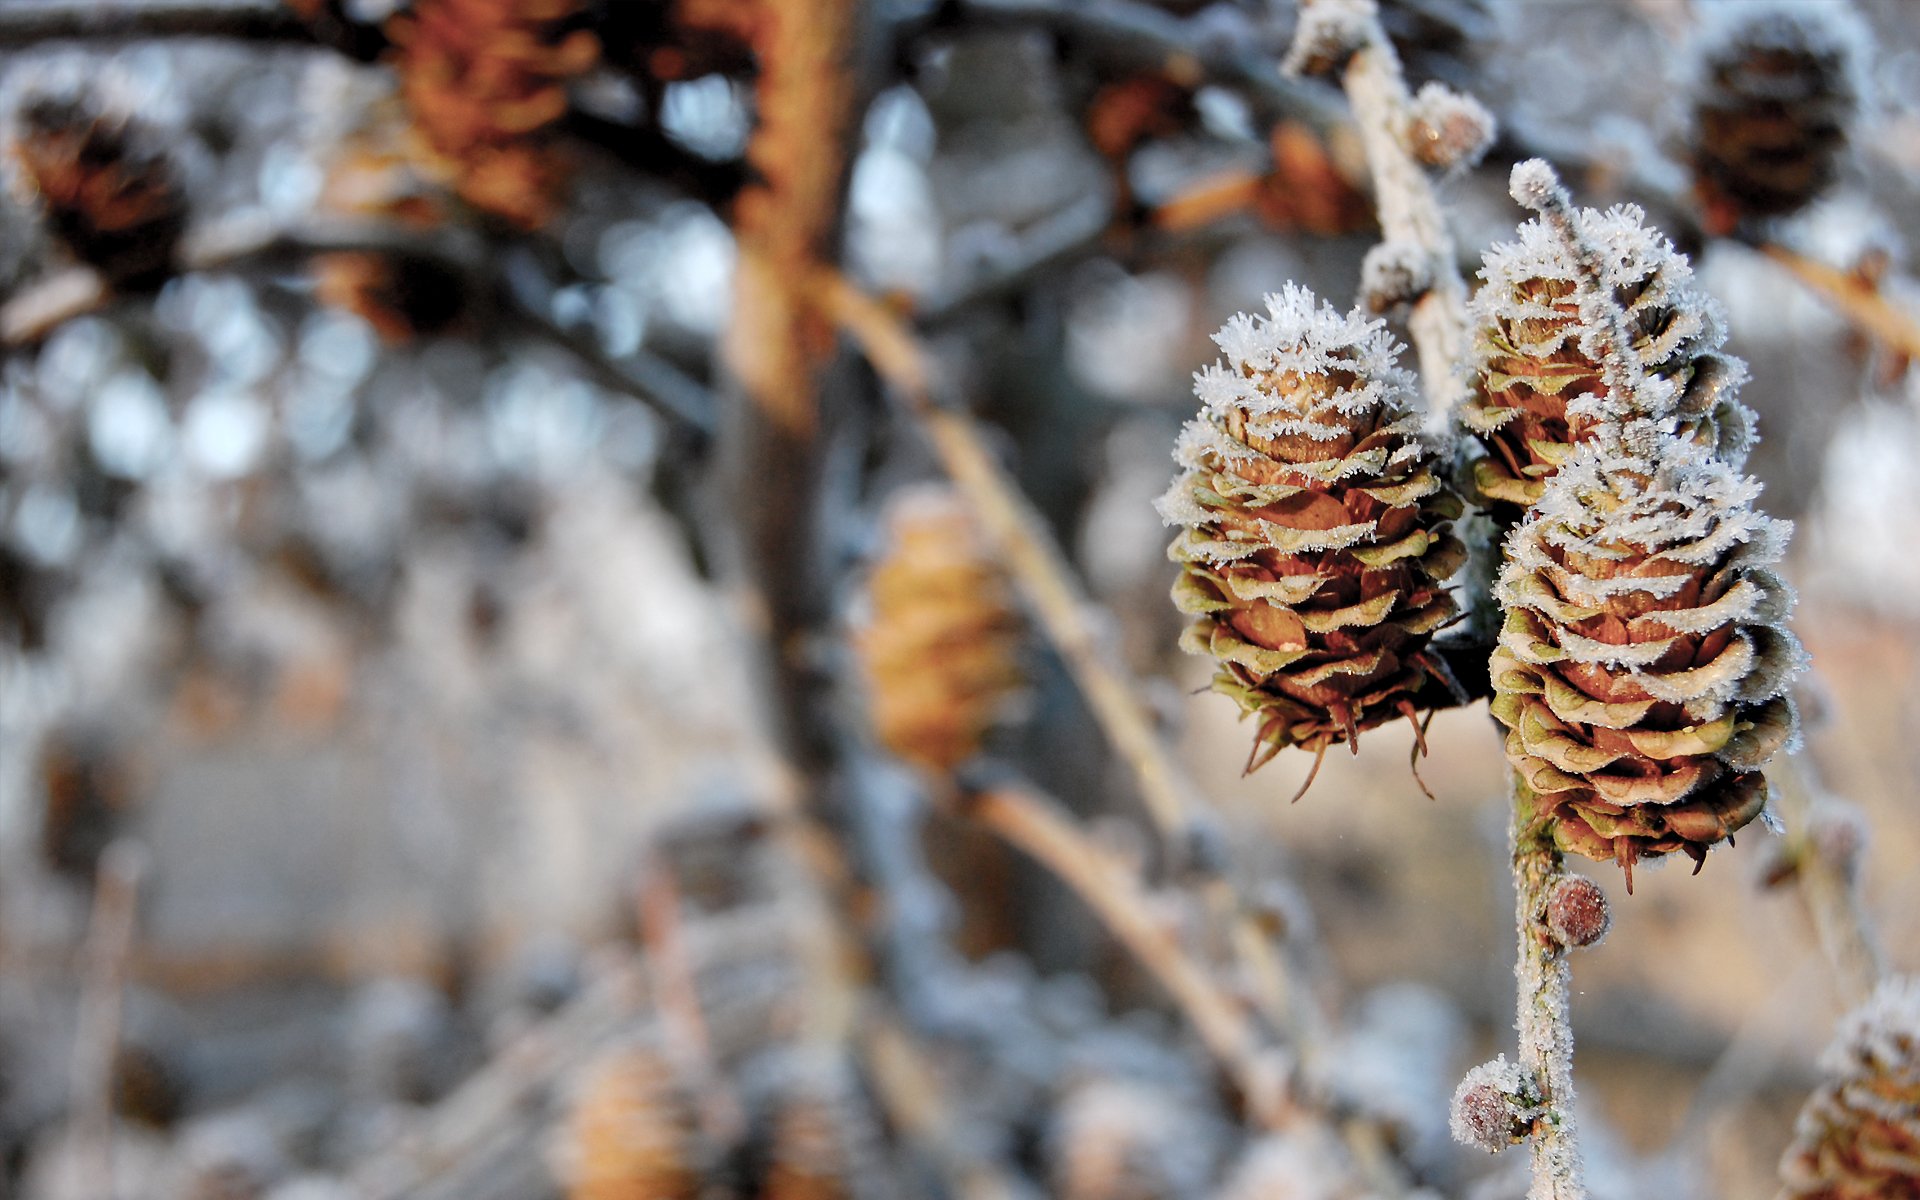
(1539, 381)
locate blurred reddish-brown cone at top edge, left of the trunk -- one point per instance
(485, 80)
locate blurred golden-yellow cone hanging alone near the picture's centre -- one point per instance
(940, 650)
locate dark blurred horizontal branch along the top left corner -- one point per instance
(26, 22)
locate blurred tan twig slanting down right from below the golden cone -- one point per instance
(1044, 830)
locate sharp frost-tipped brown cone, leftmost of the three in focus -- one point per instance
(1314, 527)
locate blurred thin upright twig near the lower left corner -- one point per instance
(103, 994)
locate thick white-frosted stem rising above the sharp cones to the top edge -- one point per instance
(1410, 212)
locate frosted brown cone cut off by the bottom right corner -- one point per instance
(1860, 1136)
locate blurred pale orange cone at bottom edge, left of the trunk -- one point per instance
(635, 1134)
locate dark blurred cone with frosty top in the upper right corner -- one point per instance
(1777, 87)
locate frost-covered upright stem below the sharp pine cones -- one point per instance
(1545, 1020)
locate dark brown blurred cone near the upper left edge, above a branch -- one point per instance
(107, 185)
